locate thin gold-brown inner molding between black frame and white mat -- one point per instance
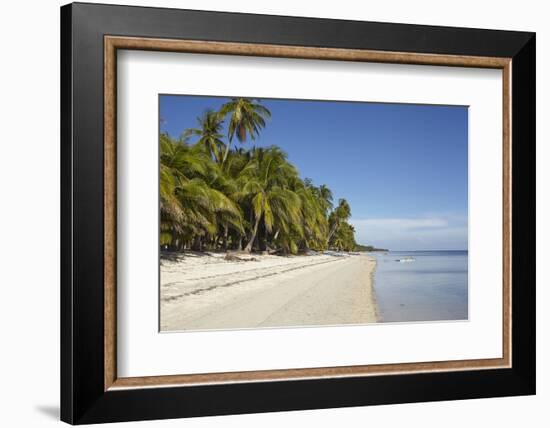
(113, 43)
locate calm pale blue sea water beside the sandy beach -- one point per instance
(433, 287)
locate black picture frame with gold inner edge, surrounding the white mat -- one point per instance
(91, 391)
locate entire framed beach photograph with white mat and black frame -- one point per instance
(266, 213)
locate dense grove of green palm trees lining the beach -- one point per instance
(214, 196)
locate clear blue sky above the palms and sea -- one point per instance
(402, 167)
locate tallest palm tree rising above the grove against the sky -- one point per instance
(247, 117)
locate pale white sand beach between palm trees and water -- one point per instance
(209, 292)
